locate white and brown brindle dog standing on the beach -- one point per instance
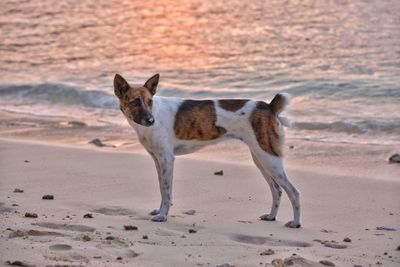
(168, 126)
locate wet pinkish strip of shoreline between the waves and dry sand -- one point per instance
(346, 159)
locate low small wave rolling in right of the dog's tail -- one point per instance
(352, 127)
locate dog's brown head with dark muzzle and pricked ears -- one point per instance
(136, 102)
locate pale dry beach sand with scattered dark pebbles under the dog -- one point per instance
(345, 195)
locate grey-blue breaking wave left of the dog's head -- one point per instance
(55, 93)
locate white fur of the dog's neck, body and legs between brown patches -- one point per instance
(161, 143)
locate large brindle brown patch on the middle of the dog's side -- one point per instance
(195, 120)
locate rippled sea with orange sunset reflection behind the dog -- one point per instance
(338, 59)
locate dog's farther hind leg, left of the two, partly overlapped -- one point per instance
(275, 190)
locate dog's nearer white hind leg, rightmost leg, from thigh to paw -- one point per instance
(273, 165)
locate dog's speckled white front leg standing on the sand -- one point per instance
(165, 168)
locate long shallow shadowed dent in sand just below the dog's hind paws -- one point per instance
(260, 240)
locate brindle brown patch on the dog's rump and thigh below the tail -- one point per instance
(267, 128)
